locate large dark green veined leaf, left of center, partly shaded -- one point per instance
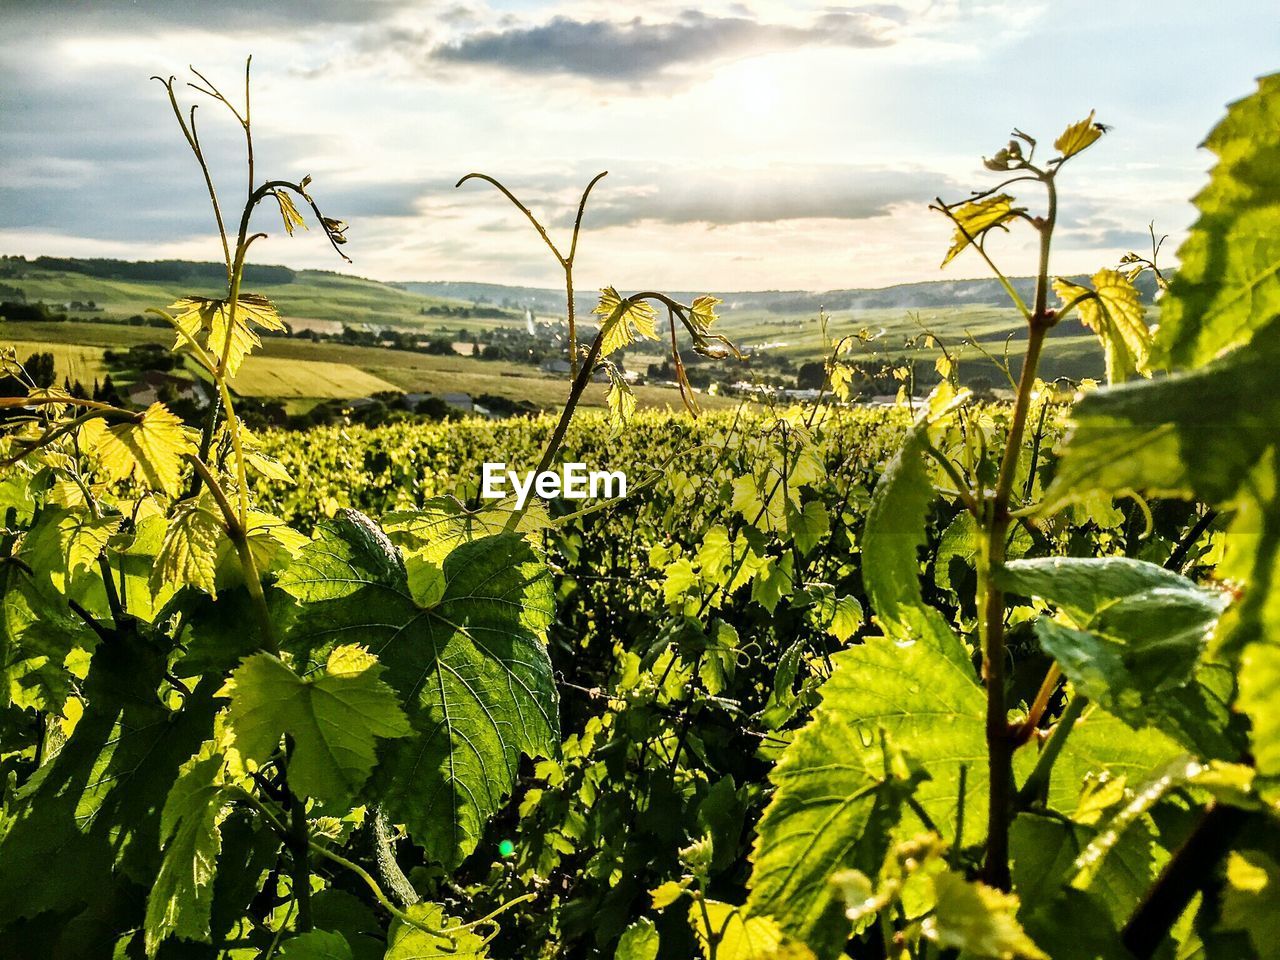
(472, 671)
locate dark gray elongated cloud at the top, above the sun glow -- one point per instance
(637, 51)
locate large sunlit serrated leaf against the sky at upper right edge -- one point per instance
(1228, 281)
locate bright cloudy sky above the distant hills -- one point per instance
(749, 145)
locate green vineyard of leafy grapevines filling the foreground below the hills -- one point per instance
(950, 679)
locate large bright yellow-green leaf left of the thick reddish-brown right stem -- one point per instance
(836, 796)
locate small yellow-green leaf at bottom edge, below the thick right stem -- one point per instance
(979, 921)
